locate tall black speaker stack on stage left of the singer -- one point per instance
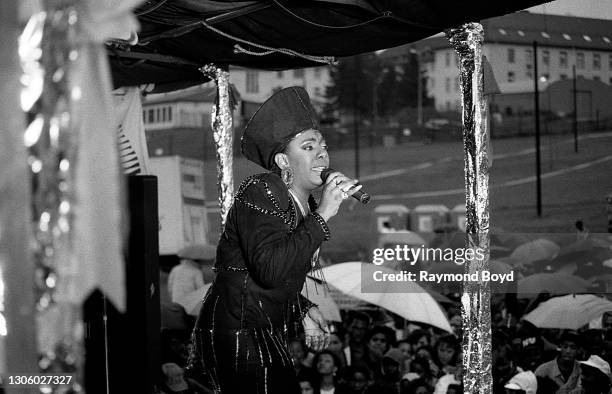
(123, 350)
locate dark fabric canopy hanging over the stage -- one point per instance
(179, 36)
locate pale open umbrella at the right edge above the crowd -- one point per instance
(569, 312)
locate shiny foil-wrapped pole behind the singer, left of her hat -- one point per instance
(223, 134)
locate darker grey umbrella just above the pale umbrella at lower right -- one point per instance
(555, 283)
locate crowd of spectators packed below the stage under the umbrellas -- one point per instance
(367, 354)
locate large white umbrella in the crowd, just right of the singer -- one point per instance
(406, 299)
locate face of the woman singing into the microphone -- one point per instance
(307, 156)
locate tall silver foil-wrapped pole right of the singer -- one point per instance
(476, 309)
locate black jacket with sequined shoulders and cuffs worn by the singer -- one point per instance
(263, 257)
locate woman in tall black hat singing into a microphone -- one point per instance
(270, 241)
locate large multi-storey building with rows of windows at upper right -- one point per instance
(563, 42)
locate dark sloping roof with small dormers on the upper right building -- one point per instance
(524, 28)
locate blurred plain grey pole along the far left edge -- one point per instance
(18, 343)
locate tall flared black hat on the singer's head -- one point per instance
(284, 115)
